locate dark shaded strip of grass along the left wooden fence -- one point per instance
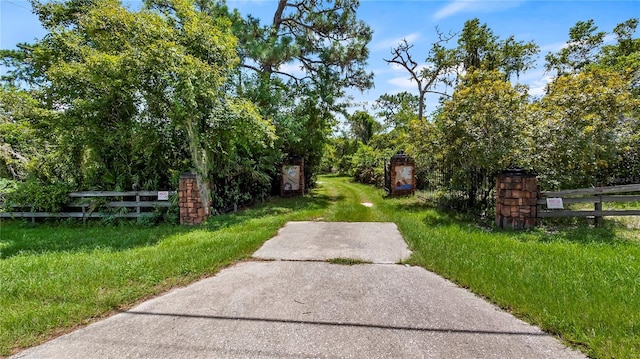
(21, 237)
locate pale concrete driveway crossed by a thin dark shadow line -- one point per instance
(290, 304)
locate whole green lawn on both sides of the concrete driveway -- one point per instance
(579, 283)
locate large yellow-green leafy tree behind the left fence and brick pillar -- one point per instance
(135, 90)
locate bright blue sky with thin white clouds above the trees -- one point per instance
(545, 22)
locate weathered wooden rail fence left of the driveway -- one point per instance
(91, 204)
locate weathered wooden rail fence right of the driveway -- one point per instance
(597, 196)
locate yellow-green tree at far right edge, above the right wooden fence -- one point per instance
(588, 125)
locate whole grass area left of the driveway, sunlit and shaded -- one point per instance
(54, 278)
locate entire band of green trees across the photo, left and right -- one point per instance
(114, 96)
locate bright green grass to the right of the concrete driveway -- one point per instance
(579, 283)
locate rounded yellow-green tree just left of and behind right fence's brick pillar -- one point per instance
(485, 124)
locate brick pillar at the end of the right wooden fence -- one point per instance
(517, 194)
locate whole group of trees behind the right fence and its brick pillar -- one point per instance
(583, 132)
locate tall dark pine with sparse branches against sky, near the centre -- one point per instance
(311, 51)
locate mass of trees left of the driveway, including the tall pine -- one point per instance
(114, 96)
